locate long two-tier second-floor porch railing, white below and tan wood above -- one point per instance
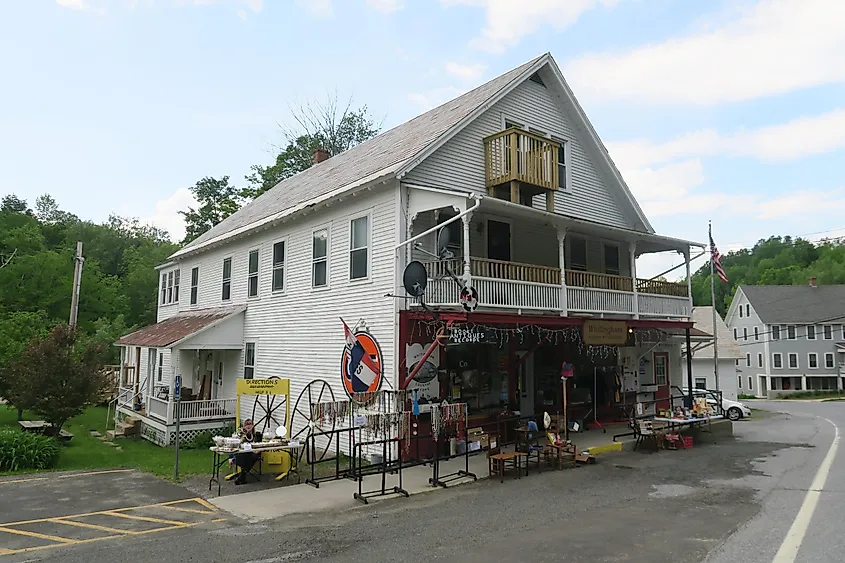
(512, 285)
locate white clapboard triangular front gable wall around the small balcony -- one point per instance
(460, 162)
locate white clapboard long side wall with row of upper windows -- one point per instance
(298, 333)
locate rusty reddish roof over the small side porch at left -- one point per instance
(178, 328)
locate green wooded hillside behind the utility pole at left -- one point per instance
(37, 246)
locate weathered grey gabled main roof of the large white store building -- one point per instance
(397, 151)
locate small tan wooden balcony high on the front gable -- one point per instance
(515, 154)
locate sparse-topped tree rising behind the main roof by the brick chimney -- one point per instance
(318, 125)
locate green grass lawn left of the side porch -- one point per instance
(87, 452)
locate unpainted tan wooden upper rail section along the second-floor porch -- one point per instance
(532, 273)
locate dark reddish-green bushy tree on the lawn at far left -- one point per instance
(65, 375)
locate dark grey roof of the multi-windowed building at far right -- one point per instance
(797, 304)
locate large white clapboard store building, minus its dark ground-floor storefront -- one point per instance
(542, 225)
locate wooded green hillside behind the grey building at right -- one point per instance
(774, 261)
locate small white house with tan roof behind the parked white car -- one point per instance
(703, 368)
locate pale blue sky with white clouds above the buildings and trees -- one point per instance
(728, 110)
